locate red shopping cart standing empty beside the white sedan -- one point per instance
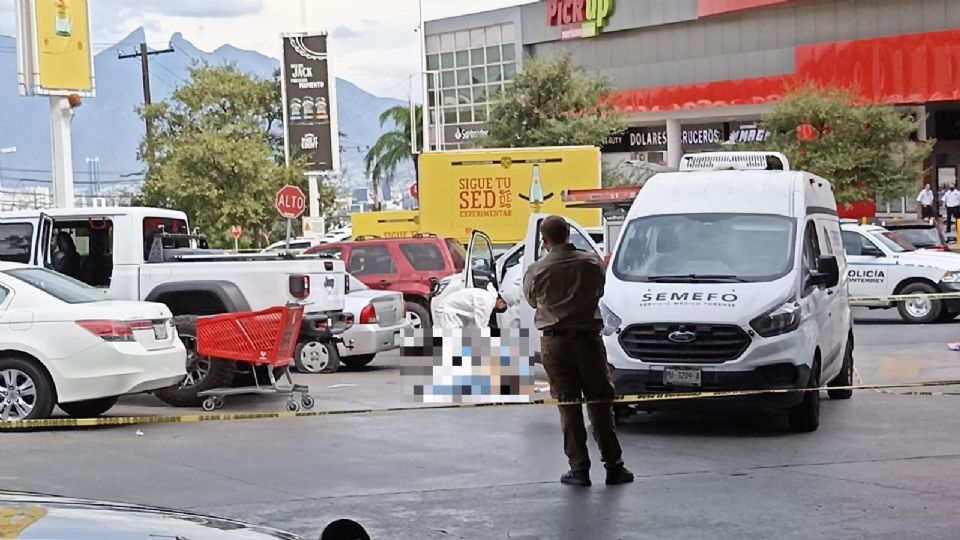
(261, 338)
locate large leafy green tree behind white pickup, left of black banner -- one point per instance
(214, 154)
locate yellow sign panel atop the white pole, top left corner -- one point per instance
(61, 56)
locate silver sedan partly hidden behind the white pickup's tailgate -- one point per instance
(379, 322)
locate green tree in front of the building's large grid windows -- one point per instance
(553, 102)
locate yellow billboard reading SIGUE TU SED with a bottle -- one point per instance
(496, 190)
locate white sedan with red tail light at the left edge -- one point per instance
(65, 344)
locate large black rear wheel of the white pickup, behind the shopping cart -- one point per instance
(202, 373)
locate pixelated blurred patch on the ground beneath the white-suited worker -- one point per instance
(467, 365)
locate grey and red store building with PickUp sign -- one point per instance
(695, 75)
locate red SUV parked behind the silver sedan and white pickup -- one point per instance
(405, 265)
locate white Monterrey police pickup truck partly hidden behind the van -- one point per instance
(881, 263)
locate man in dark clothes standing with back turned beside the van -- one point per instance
(565, 289)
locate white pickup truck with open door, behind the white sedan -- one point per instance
(148, 254)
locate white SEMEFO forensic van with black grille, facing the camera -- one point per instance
(731, 276)
